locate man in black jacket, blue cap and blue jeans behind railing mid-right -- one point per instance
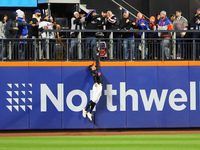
(128, 38)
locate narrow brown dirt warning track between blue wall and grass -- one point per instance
(95, 132)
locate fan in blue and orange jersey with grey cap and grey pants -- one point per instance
(165, 24)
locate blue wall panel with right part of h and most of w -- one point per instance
(142, 96)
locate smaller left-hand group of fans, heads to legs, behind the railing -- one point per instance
(16, 26)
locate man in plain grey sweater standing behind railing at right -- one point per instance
(180, 23)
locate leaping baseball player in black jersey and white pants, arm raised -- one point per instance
(97, 88)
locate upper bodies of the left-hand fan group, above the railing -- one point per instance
(17, 26)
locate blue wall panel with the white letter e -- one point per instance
(175, 80)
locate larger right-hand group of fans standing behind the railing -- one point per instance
(161, 22)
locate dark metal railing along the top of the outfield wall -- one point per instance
(111, 46)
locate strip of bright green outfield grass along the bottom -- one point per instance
(127, 142)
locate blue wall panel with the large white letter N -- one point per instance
(47, 97)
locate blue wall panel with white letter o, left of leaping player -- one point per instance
(77, 84)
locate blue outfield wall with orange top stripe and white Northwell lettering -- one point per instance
(135, 95)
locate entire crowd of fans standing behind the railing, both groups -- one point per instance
(17, 26)
